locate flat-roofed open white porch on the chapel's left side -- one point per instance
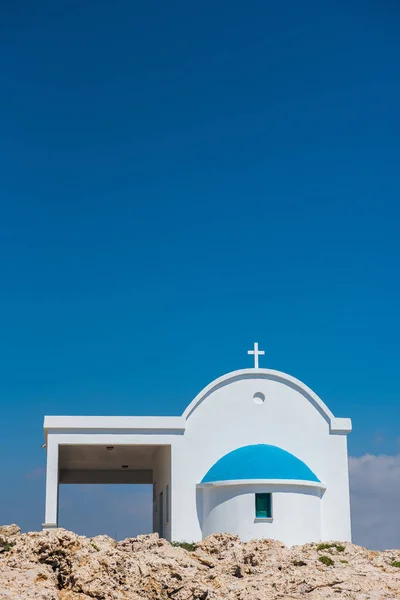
(101, 450)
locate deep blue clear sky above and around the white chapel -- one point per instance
(177, 181)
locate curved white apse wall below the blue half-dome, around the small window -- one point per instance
(296, 513)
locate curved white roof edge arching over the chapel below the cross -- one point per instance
(336, 425)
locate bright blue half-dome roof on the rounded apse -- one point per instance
(260, 461)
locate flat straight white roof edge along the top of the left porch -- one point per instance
(86, 422)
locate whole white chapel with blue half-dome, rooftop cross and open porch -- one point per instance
(256, 453)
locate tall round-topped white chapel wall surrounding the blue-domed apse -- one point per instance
(229, 418)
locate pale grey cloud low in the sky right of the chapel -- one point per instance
(375, 500)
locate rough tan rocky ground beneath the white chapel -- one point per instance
(60, 565)
